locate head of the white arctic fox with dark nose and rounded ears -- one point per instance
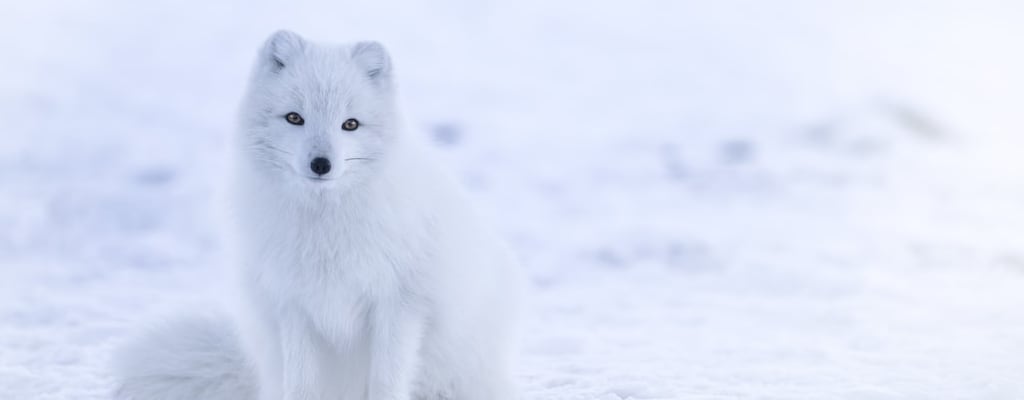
(318, 116)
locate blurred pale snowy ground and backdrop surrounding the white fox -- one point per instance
(730, 200)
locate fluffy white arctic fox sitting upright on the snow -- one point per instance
(363, 275)
